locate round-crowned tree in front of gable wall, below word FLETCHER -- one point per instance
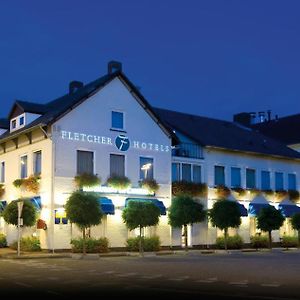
(84, 210)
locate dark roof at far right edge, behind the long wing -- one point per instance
(286, 129)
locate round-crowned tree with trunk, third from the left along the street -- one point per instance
(139, 215)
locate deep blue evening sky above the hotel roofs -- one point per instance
(212, 58)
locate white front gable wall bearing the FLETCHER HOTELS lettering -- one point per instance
(93, 118)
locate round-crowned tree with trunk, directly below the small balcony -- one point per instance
(185, 211)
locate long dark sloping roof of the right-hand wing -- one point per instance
(224, 134)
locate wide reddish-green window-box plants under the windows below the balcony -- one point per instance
(189, 188)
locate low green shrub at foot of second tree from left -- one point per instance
(92, 245)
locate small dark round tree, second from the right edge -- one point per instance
(268, 219)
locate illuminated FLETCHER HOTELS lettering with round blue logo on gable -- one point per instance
(122, 142)
